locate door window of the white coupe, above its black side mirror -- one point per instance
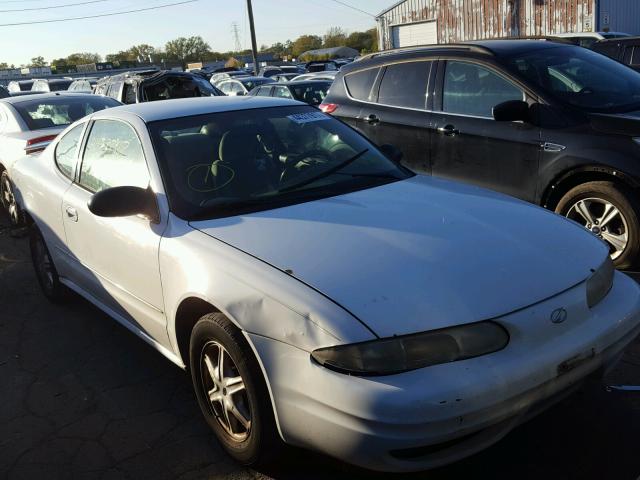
(113, 157)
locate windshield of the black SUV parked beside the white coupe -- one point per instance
(581, 78)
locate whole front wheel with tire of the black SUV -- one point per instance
(610, 211)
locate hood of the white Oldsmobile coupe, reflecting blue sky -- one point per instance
(419, 254)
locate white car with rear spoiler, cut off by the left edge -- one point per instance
(29, 123)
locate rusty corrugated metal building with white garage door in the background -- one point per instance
(420, 22)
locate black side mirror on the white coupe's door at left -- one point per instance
(124, 202)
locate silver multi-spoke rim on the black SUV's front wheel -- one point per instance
(603, 219)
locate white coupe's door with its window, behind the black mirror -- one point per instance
(116, 258)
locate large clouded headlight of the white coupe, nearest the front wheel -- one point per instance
(409, 352)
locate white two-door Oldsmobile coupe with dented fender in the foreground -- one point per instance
(318, 292)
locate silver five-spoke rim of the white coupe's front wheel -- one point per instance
(224, 387)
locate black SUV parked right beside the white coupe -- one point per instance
(554, 124)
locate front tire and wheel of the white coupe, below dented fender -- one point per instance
(231, 391)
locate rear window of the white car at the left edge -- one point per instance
(59, 111)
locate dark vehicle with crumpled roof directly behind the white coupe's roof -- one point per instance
(152, 85)
